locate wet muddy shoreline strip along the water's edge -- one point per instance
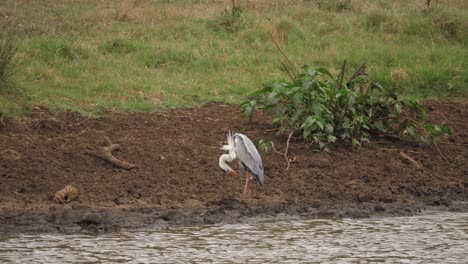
(101, 220)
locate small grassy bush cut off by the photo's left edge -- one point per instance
(8, 65)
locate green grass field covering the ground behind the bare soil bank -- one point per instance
(91, 56)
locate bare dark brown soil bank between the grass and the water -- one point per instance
(177, 180)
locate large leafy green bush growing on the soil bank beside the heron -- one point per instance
(325, 109)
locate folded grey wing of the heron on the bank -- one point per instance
(248, 154)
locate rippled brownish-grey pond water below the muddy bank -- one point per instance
(438, 237)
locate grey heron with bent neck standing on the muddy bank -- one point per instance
(240, 147)
